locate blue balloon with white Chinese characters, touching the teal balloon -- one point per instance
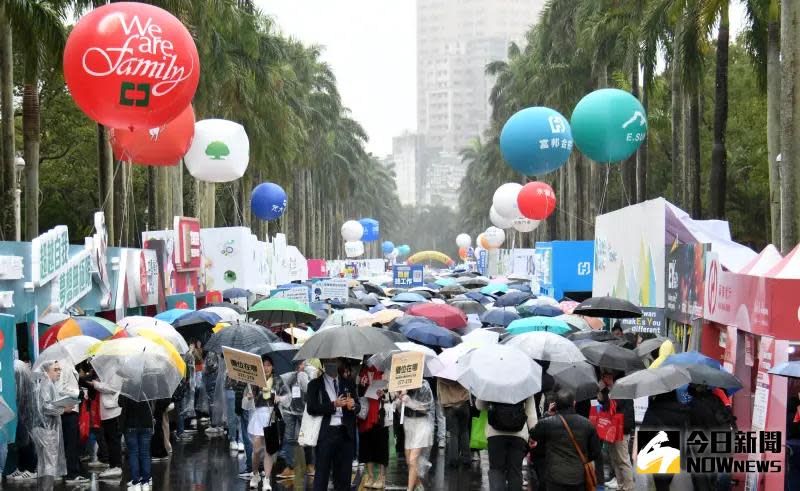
(536, 140)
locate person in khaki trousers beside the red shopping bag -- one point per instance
(618, 452)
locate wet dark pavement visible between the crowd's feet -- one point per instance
(208, 464)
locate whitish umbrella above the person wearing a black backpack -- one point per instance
(500, 373)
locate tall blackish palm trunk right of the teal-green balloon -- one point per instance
(719, 160)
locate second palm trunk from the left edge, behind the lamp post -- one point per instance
(31, 135)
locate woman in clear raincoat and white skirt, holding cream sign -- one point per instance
(418, 416)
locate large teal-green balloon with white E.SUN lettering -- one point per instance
(608, 125)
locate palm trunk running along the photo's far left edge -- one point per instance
(8, 230)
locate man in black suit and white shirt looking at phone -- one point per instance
(335, 399)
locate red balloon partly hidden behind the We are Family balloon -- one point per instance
(165, 145)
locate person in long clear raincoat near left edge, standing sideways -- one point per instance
(46, 433)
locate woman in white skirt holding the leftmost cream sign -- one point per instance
(263, 423)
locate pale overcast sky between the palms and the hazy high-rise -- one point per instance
(371, 45)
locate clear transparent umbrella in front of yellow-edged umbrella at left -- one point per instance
(147, 369)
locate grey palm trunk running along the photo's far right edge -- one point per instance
(790, 122)
